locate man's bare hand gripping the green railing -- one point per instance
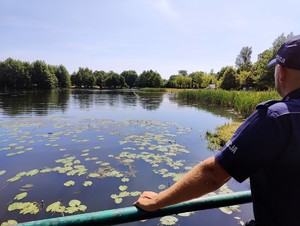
(147, 201)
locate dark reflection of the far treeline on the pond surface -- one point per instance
(43, 103)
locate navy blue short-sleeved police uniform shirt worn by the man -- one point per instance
(266, 148)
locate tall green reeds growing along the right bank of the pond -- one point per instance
(243, 102)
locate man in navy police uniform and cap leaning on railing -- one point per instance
(266, 148)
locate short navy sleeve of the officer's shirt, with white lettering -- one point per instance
(256, 143)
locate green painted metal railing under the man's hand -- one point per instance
(130, 214)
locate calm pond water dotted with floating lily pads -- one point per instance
(75, 151)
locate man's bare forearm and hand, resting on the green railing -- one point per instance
(202, 179)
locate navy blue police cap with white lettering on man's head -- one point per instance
(288, 55)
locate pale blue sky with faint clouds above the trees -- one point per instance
(162, 35)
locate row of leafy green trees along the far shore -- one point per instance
(15, 74)
